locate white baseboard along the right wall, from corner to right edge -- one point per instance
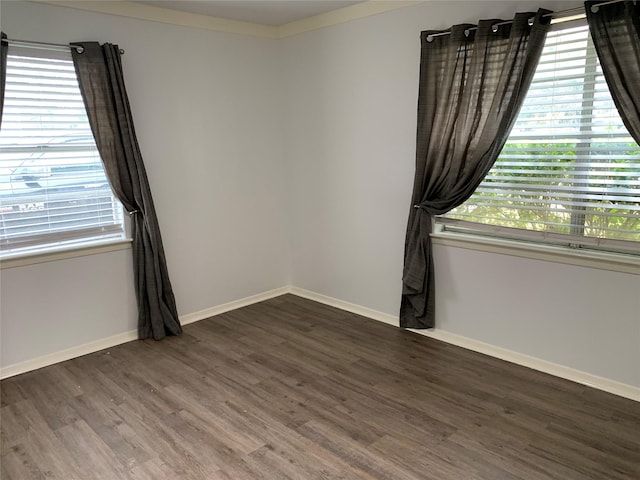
(584, 378)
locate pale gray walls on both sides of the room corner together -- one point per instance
(254, 147)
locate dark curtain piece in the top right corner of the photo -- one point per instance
(615, 30)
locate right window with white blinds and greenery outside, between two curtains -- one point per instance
(569, 172)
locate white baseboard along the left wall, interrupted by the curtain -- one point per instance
(97, 345)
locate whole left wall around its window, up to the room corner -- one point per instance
(206, 109)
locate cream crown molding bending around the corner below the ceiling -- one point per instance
(139, 11)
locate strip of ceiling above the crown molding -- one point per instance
(265, 12)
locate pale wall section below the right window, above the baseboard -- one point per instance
(582, 318)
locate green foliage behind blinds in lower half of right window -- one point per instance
(553, 181)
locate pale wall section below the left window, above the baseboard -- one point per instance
(55, 306)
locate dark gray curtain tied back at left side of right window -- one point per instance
(472, 84)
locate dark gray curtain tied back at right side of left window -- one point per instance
(99, 71)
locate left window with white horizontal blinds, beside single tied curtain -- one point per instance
(53, 189)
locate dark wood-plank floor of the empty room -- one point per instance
(289, 388)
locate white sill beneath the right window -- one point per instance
(616, 262)
